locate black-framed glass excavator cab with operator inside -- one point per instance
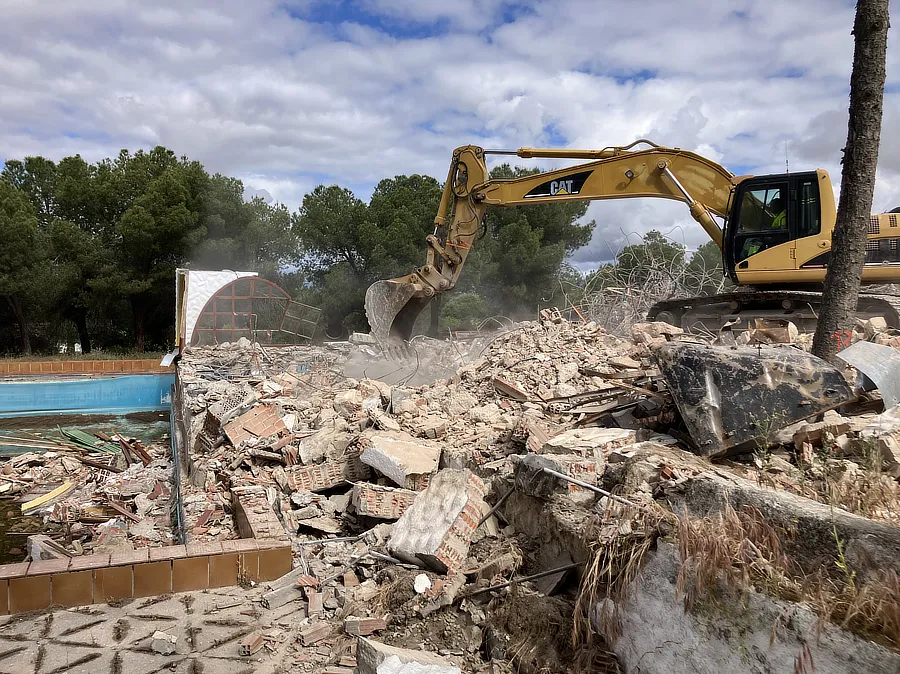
(768, 212)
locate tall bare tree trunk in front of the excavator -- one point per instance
(848, 248)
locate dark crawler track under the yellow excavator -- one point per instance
(739, 308)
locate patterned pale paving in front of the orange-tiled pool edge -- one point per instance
(103, 639)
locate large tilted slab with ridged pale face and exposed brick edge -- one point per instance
(438, 527)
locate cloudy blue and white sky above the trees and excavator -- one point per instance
(287, 95)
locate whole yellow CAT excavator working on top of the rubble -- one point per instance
(776, 237)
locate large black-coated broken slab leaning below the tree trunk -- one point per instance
(730, 397)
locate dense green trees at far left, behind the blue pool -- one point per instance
(110, 235)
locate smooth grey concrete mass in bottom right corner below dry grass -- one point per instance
(654, 620)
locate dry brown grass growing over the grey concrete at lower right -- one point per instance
(737, 551)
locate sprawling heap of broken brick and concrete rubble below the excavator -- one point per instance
(371, 480)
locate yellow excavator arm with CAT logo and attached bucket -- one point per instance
(392, 306)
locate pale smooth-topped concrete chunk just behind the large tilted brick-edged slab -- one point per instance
(401, 458)
